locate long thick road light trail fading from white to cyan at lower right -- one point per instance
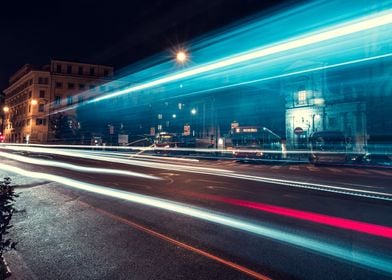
(356, 256)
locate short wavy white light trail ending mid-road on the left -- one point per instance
(77, 168)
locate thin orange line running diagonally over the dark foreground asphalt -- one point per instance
(175, 242)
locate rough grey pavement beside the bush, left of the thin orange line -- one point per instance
(61, 237)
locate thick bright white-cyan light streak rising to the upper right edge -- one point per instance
(356, 26)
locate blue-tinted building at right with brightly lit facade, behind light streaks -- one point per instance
(337, 100)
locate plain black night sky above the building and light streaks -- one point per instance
(116, 33)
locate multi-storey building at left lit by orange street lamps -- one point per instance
(34, 94)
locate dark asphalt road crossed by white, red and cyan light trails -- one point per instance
(234, 220)
